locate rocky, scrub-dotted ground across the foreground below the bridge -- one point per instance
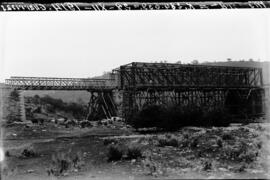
(99, 152)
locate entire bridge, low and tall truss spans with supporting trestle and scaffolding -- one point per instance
(239, 89)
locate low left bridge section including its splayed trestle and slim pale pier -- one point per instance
(100, 91)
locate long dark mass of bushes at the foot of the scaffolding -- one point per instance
(174, 117)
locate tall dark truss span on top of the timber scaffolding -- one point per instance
(164, 75)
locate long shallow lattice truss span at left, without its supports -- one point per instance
(51, 83)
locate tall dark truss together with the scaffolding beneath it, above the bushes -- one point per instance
(238, 89)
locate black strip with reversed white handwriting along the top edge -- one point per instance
(112, 6)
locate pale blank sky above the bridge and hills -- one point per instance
(86, 44)
